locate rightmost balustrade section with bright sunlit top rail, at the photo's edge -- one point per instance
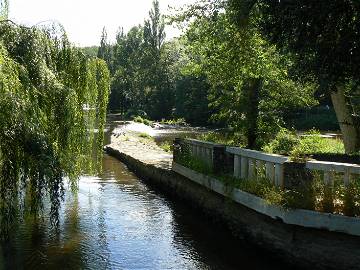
(330, 168)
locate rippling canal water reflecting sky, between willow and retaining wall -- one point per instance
(116, 221)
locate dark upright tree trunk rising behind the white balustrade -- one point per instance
(253, 111)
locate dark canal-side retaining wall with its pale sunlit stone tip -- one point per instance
(309, 248)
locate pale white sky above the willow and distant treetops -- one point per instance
(84, 19)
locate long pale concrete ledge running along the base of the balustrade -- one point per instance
(299, 217)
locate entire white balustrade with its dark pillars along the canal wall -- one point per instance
(251, 164)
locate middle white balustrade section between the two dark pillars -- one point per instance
(247, 164)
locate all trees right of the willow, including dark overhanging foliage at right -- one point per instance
(247, 63)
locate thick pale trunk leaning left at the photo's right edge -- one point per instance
(348, 125)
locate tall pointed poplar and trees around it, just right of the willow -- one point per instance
(142, 78)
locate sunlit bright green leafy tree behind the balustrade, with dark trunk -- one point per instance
(250, 85)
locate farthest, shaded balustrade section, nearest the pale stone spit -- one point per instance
(202, 150)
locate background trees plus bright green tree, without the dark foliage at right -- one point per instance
(215, 71)
